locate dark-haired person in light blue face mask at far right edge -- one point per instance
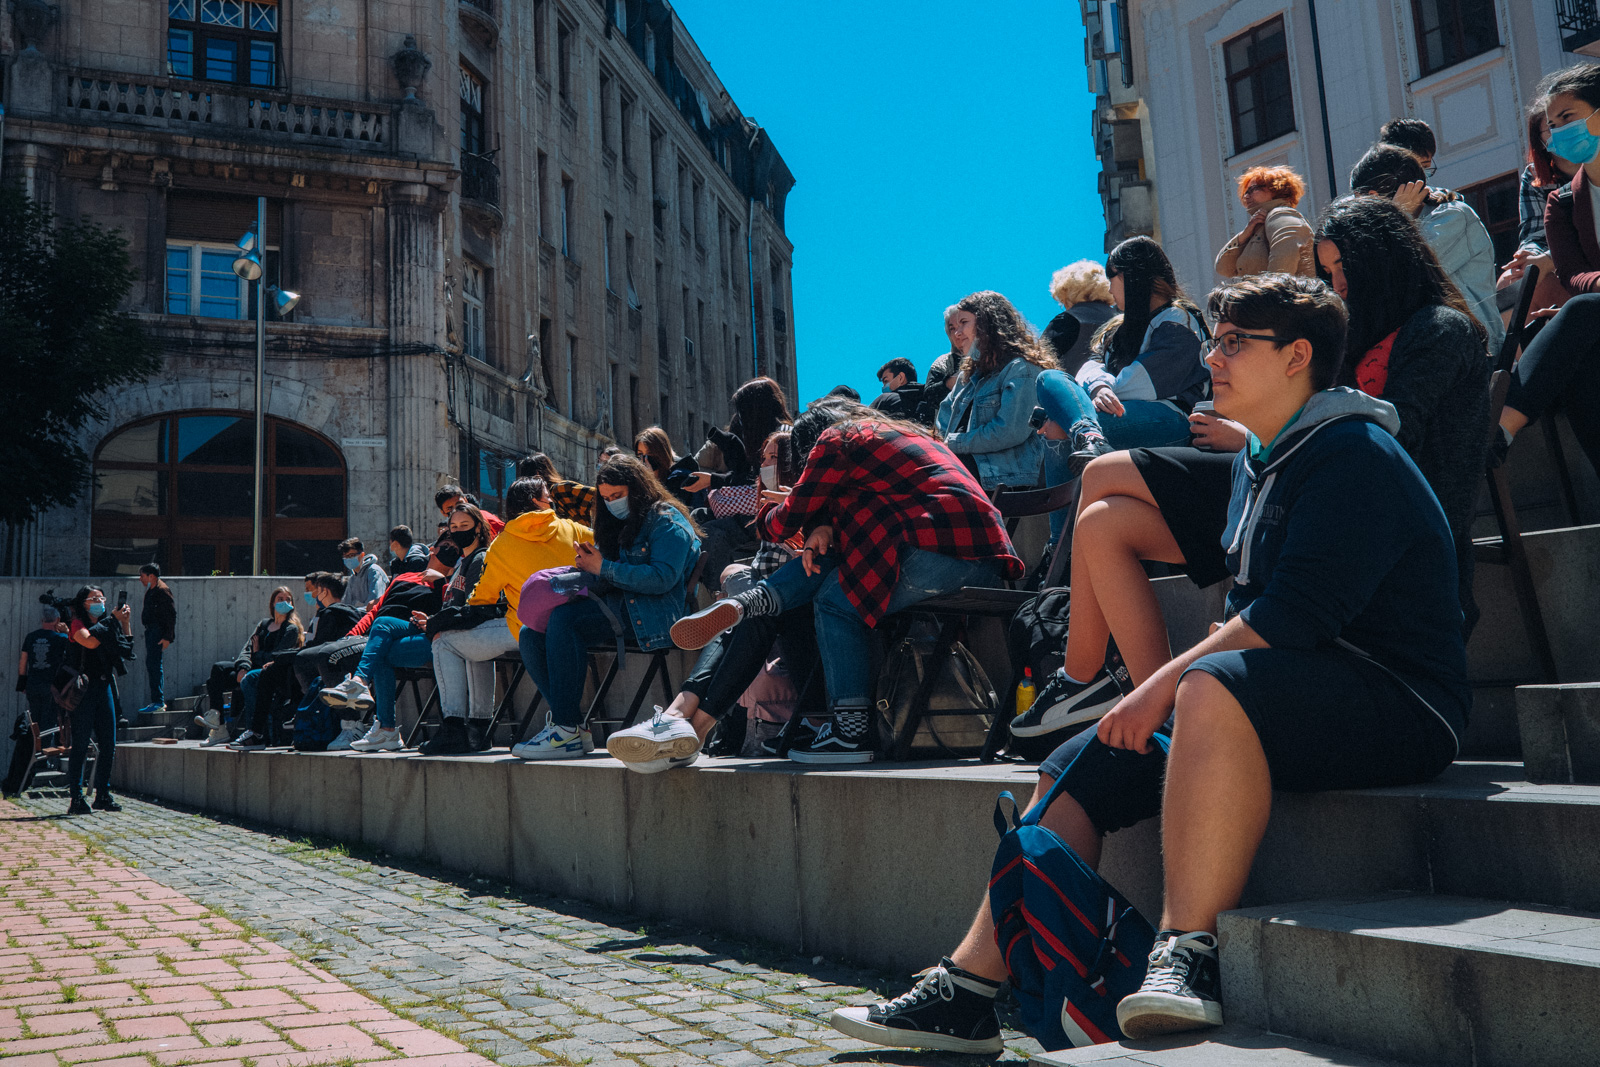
(1564, 362)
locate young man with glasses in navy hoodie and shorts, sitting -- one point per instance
(1342, 666)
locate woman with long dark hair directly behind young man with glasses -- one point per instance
(1415, 345)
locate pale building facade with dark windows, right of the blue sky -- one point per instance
(1193, 94)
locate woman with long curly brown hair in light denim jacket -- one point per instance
(986, 417)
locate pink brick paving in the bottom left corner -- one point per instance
(105, 965)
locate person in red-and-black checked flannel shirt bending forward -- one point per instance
(911, 522)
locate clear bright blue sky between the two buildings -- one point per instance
(940, 148)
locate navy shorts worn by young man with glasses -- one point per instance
(1327, 719)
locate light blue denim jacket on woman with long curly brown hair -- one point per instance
(999, 438)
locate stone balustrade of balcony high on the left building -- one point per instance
(222, 111)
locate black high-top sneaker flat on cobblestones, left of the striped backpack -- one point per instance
(948, 1010)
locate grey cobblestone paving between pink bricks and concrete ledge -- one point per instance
(521, 980)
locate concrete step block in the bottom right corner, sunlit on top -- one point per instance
(1426, 980)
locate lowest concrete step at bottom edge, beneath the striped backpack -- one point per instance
(1228, 1047)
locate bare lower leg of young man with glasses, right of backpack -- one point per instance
(1215, 805)
